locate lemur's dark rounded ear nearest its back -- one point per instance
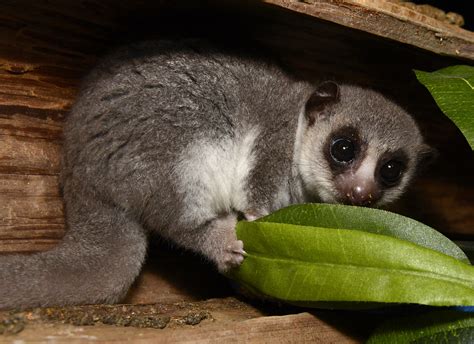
(325, 94)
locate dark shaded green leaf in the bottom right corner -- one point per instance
(434, 327)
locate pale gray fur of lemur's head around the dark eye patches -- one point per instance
(382, 125)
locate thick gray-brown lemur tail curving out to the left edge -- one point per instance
(98, 259)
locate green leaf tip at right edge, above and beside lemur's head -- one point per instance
(453, 90)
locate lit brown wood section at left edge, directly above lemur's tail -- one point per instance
(31, 209)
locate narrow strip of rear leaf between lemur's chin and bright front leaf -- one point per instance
(368, 220)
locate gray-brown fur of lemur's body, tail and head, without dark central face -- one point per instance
(179, 138)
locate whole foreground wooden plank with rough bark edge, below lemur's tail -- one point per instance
(214, 321)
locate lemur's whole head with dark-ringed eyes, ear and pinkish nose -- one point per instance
(357, 146)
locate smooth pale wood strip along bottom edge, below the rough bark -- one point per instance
(302, 328)
